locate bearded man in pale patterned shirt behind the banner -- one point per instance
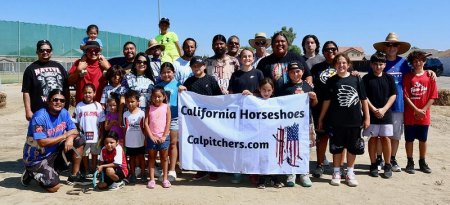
(221, 65)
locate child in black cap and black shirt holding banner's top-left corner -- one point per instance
(203, 84)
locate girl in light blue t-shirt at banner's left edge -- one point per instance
(171, 85)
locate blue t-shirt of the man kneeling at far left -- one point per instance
(44, 125)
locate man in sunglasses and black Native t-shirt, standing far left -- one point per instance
(40, 78)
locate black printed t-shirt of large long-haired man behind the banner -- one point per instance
(275, 68)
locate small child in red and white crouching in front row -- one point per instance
(113, 163)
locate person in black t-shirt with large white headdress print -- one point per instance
(344, 96)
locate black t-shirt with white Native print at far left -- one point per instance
(40, 78)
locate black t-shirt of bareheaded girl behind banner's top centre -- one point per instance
(241, 81)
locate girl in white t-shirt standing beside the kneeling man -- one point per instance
(88, 118)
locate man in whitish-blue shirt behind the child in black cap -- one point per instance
(182, 69)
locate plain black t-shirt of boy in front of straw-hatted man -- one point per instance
(379, 90)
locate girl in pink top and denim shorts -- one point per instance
(157, 124)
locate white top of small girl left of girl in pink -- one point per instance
(134, 124)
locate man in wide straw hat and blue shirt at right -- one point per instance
(397, 67)
